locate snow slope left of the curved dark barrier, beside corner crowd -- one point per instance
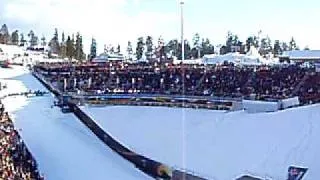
(63, 147)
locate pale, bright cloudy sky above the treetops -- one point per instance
(117, 21)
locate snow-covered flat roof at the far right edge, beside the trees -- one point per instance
(302, 54)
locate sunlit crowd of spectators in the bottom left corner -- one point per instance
(16, 162)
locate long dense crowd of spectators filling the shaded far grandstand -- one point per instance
(226, 80)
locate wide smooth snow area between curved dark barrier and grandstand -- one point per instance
(216, 144)
